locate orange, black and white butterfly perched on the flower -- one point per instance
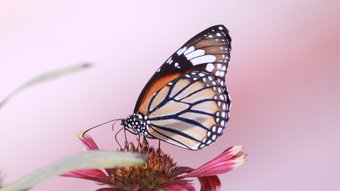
(186, 102)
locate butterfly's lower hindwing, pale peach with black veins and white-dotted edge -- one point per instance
(190, 111)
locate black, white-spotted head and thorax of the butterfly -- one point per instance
(136, 124)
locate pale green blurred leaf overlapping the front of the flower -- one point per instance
(85, 160)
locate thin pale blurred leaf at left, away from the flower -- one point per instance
(45, 77)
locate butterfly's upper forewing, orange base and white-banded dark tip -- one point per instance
(208, 51)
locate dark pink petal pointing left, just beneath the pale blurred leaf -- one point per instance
(91, 174)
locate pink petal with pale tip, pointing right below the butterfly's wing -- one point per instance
(228, 160)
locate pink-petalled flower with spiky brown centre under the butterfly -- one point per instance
(160, 172)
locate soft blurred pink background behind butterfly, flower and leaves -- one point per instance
(283, 78)
